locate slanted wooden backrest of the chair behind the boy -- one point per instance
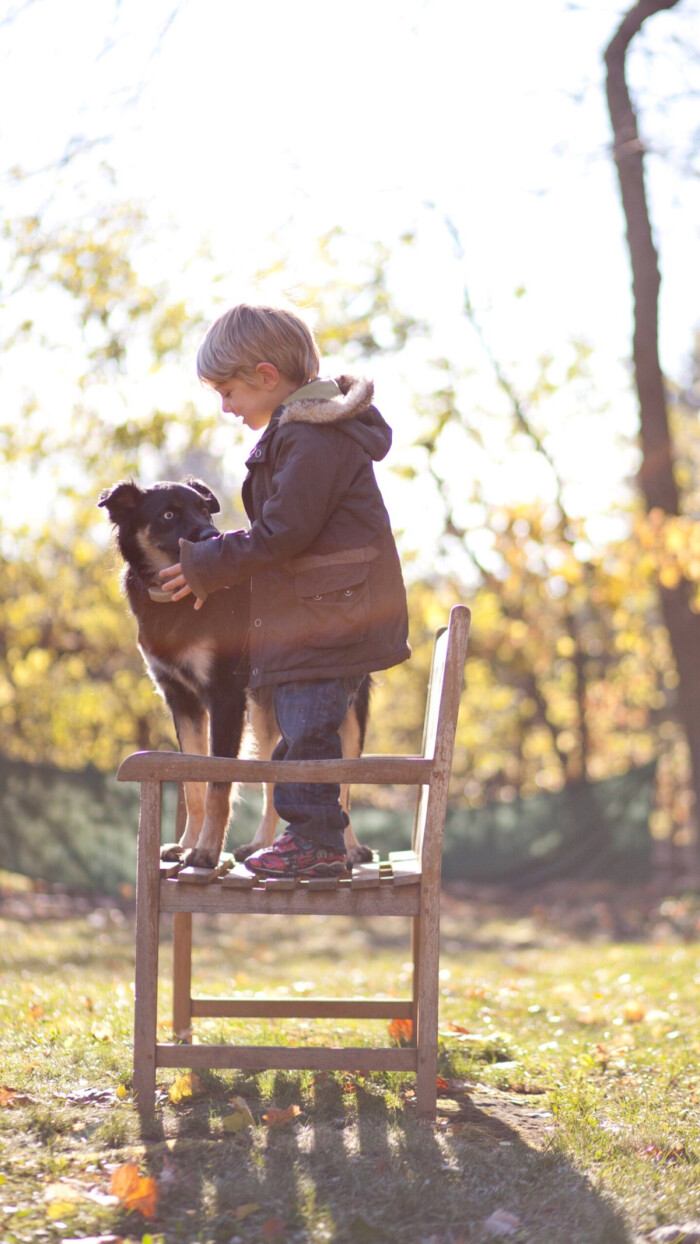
(444, 691)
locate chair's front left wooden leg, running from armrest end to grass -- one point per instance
(147, 922)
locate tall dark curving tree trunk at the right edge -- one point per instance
(657, 477)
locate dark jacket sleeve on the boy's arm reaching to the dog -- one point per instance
(305, 490)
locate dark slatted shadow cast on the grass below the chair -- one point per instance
(357, 1166)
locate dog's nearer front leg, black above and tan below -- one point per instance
(227, 716)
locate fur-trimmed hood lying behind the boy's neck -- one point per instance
(346, 401)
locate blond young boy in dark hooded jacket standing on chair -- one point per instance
(328, 596)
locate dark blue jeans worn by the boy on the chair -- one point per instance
(310, 716)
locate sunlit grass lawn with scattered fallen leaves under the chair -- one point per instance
(569, 1109)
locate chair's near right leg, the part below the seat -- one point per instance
(428, 1000)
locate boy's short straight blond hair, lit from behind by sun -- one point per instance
(248, 335)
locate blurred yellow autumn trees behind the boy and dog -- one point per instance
(571, 672)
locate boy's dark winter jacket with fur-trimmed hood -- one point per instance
(328, 595)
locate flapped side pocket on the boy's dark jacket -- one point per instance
(338, 605)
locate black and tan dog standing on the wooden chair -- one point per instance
(200, 661)
